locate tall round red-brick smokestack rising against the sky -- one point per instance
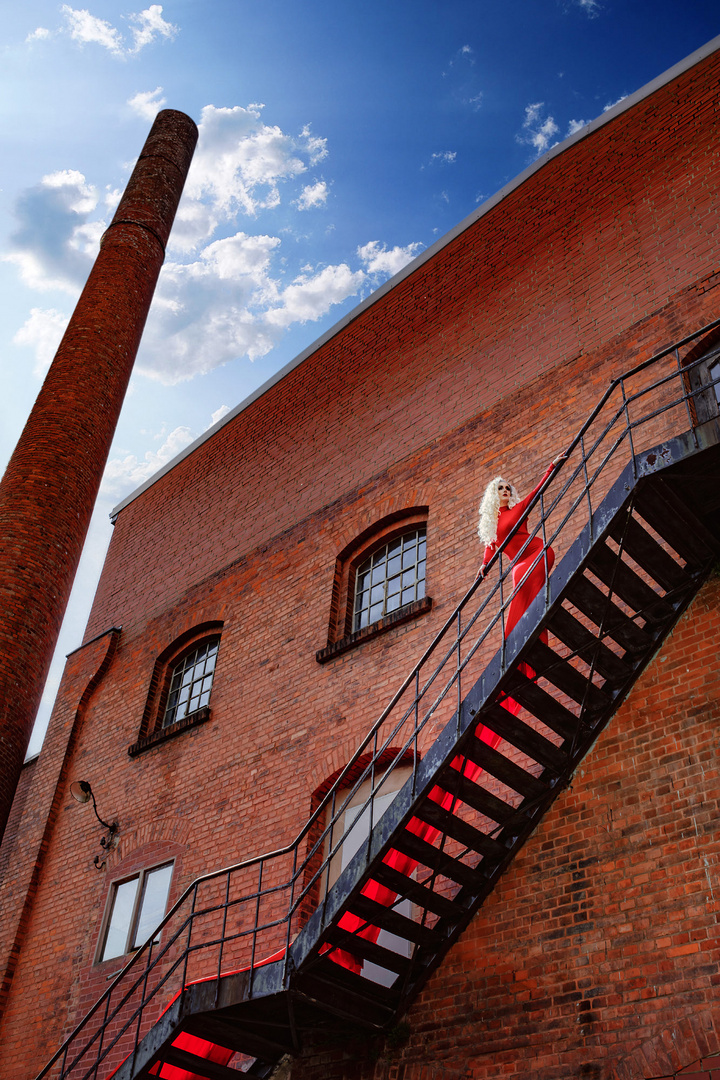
(49, 490)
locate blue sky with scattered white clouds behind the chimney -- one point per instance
(337, 141)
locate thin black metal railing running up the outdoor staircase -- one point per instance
(337, 799)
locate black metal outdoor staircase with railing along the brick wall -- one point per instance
(479, 741)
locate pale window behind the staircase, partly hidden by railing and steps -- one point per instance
(358, 821)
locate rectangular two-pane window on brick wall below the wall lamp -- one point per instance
(137, 907)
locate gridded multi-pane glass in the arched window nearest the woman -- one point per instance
(392, 577)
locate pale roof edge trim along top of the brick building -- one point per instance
(623, 106)
